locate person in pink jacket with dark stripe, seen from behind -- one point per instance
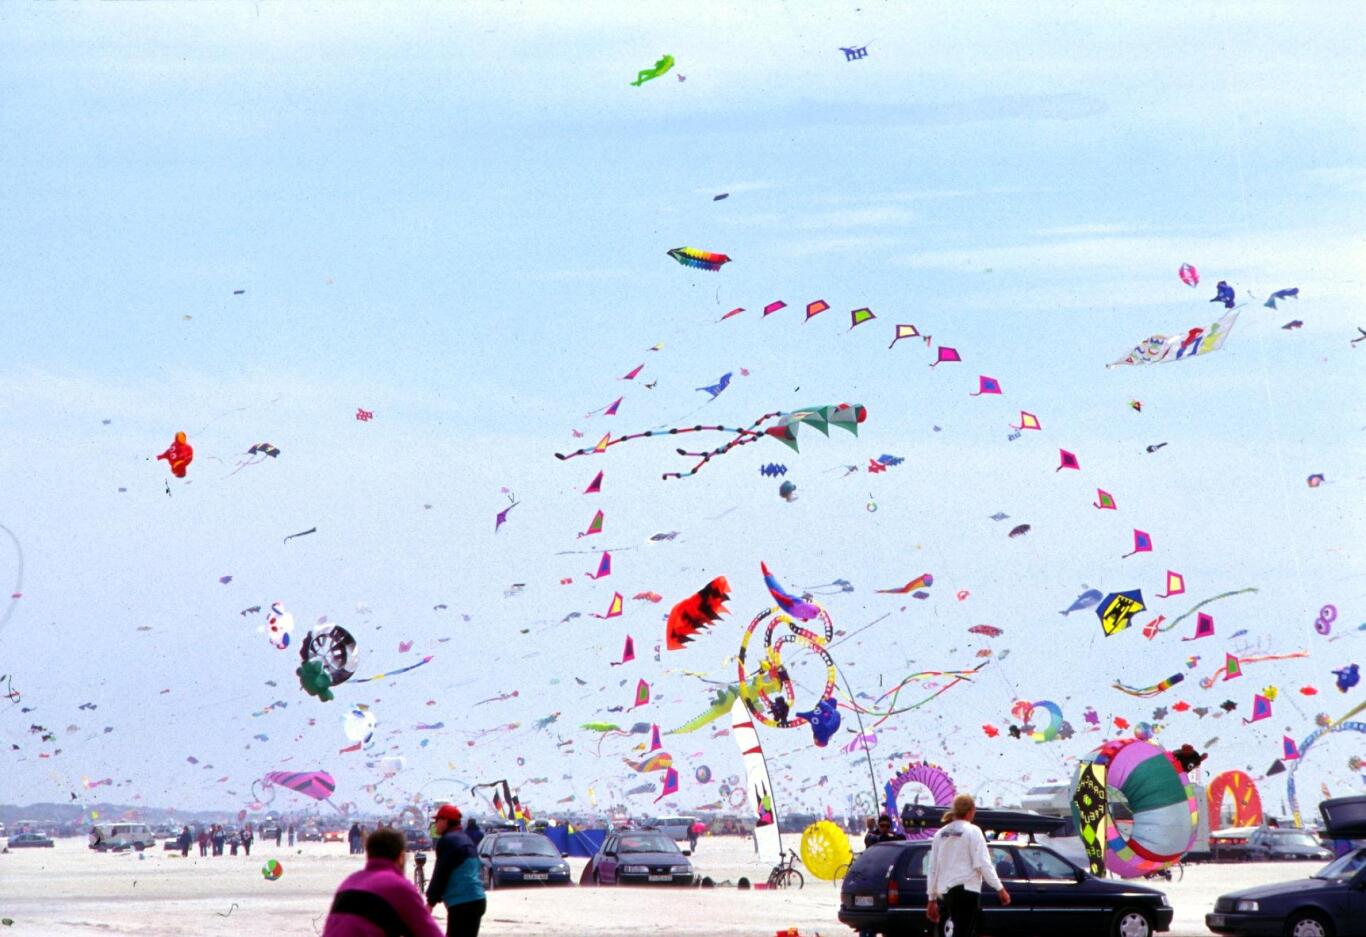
(380, 901)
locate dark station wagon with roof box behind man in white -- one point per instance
(886, 894)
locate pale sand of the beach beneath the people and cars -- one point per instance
(69, 891)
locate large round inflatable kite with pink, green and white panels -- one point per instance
(1160, 797)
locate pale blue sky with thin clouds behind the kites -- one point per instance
(458, 218)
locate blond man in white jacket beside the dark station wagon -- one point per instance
(960, 864)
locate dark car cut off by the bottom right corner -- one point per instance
(1331, 902)
